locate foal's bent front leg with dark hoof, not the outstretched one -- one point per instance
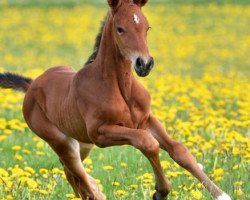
(111, 135)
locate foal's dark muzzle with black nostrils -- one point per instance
(143, 68)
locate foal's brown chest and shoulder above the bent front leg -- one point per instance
(107, 104)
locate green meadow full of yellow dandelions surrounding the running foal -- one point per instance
(200, 90)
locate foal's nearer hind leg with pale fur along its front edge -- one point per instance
(67, 149)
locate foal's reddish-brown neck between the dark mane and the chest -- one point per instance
(111, 65)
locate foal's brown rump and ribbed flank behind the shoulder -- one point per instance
(52, 92)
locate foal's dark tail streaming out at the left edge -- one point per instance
(14, 81)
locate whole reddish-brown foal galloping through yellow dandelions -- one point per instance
(104, 105)
